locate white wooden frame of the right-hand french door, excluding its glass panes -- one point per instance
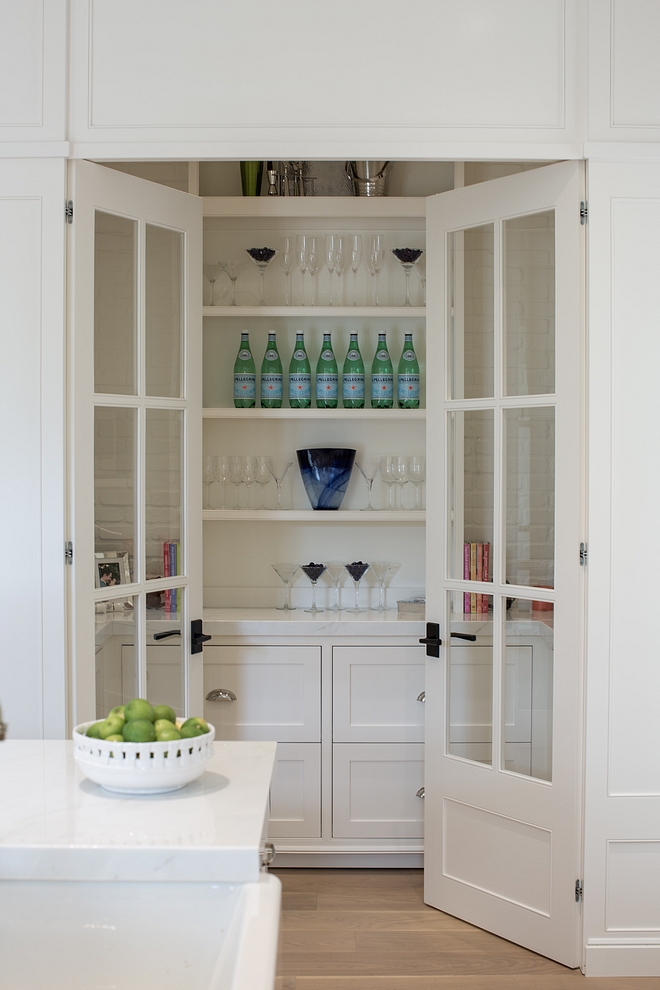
(494, 790)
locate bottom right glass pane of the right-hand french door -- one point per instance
(528, 695)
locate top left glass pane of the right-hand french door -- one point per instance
(471, 312)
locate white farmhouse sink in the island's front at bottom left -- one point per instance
(65, 935)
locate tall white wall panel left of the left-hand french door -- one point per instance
(32, 251)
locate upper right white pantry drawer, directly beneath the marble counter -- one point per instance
(375, 691)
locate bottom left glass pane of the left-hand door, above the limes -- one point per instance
(116, 671)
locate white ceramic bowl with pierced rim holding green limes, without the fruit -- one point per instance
(142, 768)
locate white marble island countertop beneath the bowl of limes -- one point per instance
(57, 825)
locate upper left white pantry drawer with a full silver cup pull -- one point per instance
(277, 688)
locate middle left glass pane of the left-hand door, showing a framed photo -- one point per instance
(114, 494)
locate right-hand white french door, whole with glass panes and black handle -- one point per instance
(504, 710)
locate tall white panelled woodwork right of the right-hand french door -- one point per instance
(622, 802)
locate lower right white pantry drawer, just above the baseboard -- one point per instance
(375, 786)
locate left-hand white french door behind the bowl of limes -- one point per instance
(135, 441)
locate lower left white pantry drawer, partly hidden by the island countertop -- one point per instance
(295, 793)
